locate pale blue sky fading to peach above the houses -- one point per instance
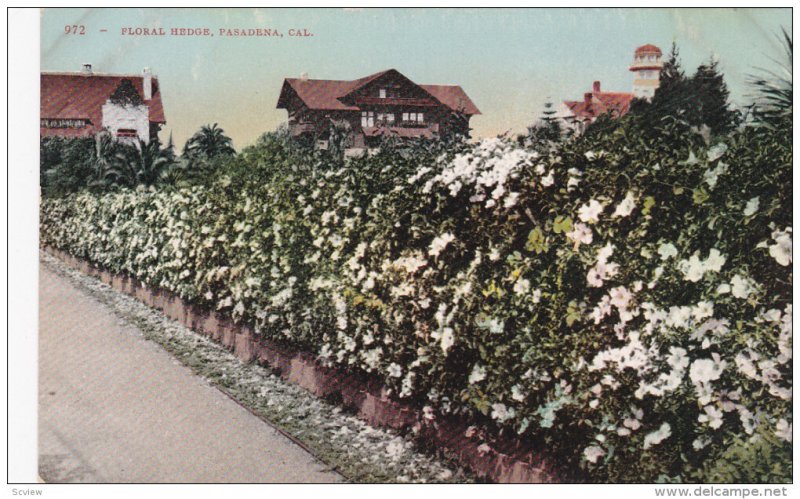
(509, 61)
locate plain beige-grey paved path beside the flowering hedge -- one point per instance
(114, 407)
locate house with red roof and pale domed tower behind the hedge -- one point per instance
(646, 66)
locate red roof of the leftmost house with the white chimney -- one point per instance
(81, 96)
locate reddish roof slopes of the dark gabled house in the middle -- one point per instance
(326, 94)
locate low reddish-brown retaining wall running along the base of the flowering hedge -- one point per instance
(500, 460)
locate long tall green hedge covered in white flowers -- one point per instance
(623, 301)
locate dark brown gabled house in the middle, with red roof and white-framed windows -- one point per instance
(380, 105)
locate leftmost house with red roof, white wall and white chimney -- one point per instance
(80, 104)
